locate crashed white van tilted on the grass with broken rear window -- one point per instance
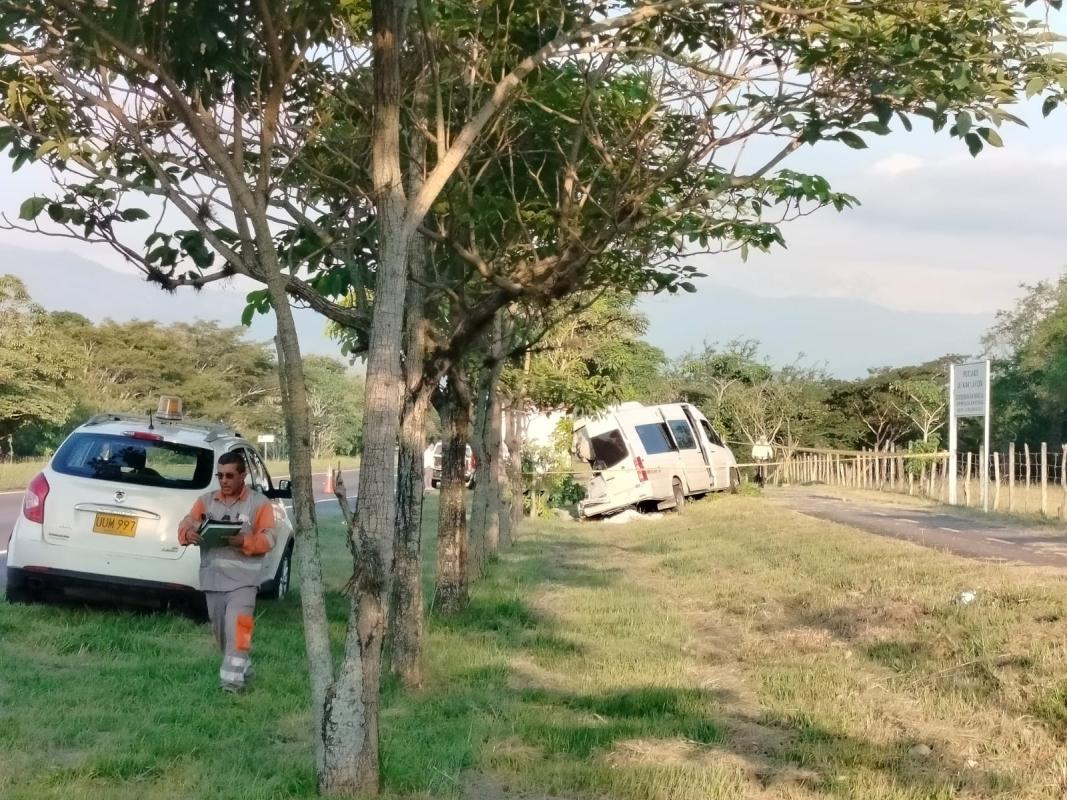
(651, 456)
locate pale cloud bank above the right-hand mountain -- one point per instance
(941, 233)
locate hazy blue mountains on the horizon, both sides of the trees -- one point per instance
(848, 337)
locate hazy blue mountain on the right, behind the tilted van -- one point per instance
(847, 337)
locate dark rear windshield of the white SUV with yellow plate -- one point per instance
(126, 460)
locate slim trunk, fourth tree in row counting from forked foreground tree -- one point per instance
(486, 508)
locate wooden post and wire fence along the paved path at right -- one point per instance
(1022, 479)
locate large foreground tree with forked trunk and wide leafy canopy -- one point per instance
(212, 106)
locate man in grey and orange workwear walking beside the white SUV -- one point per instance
(230, 577)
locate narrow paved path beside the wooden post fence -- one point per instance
(935, 526)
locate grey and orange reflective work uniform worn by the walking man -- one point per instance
(231, 579)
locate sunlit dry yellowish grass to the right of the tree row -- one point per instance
(830, 663)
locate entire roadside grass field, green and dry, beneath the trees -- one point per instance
(736, 651)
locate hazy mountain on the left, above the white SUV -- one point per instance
(65, 281)
